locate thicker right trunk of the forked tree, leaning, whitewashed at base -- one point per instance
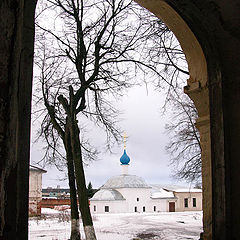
(81, 183)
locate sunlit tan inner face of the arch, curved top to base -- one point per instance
(197, 89)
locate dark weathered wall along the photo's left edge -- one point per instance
(16, 55)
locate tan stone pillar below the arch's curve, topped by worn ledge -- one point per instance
(199, 95)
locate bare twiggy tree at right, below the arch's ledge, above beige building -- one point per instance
(184, 146)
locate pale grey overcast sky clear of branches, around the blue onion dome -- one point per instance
(144, 125)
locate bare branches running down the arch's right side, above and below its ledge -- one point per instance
(184, 146)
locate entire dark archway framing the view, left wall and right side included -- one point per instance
(213, 28)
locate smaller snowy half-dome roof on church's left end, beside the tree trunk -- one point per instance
(107, 195)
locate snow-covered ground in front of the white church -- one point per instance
(54, 225)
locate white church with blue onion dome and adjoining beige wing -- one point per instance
(129, 193)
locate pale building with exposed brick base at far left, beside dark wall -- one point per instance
(35, 190)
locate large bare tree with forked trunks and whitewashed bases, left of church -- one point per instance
(84, 54)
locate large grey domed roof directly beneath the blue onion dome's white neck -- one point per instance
(125, 181)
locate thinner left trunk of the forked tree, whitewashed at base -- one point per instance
(75, 233)
